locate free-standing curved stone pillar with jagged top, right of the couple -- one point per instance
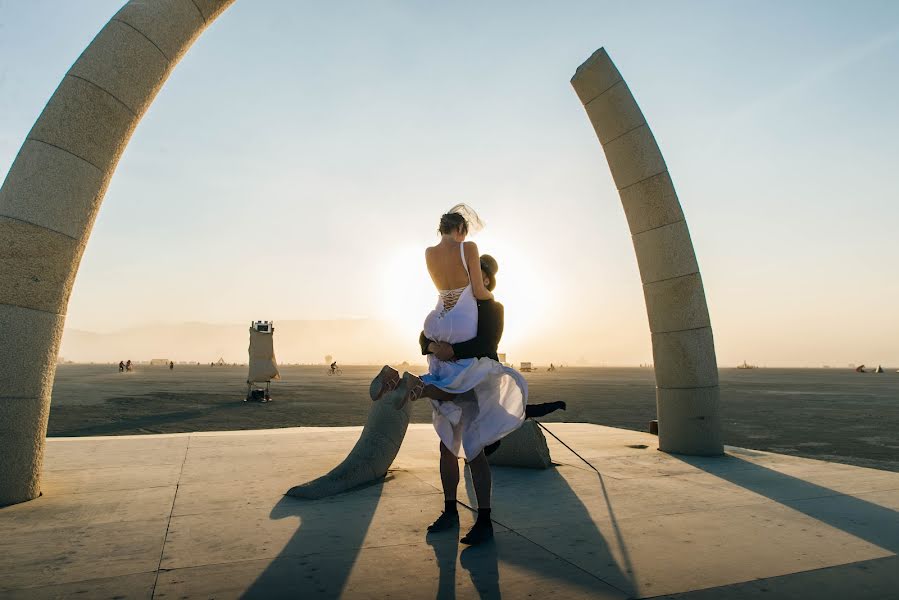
(682, 345)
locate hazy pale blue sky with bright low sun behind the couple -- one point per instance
(296, 162)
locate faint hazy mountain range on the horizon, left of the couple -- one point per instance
(349, 341)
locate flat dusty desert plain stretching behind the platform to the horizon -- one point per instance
(829, 414)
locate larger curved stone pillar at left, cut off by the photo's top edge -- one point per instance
(50, 199)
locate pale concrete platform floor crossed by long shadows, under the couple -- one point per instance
(202, 516)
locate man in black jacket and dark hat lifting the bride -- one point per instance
(483, 345)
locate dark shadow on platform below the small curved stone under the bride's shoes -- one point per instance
(317, 560)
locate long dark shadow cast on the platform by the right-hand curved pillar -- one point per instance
(871, 522)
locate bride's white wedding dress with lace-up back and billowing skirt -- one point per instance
(491, 398)
